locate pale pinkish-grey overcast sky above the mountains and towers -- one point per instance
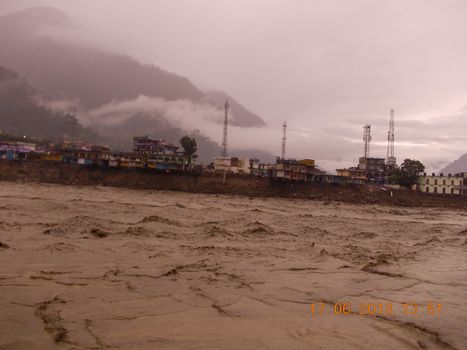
(327, 66)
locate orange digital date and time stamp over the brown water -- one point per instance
(376, 308)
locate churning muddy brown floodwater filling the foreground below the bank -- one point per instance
(99, 267)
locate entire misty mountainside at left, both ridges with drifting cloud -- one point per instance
(58, 75)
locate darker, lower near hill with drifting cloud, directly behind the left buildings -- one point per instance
(21, 114)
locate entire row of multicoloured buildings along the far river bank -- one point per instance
(161, 155)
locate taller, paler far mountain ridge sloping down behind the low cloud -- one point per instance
(65, 70)
